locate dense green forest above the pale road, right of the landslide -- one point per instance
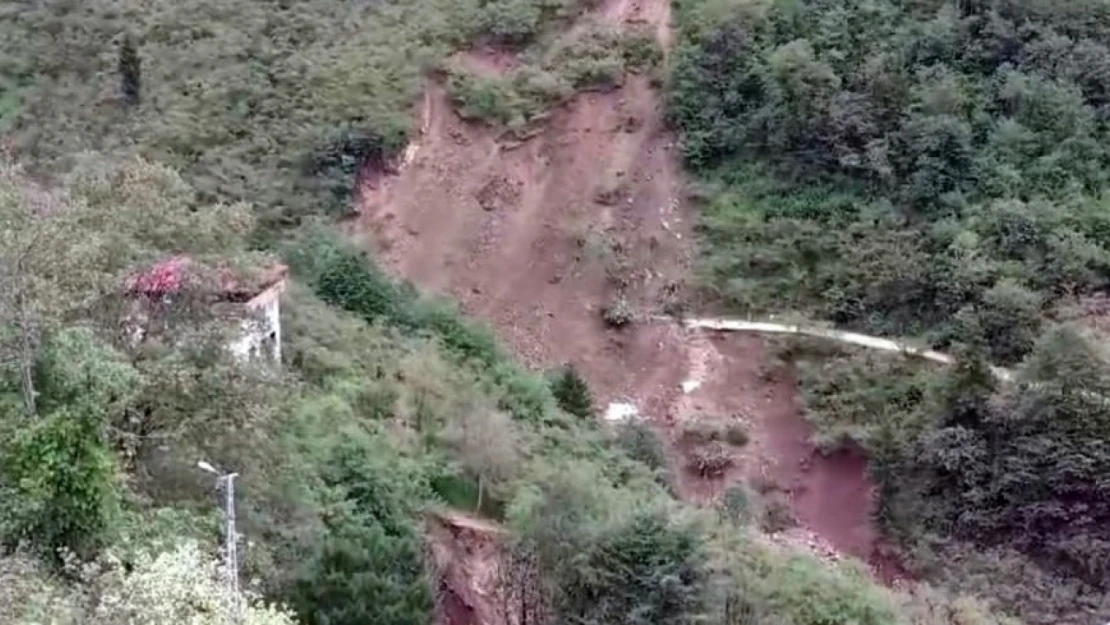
(906, 168)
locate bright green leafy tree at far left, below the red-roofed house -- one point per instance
(59, 475)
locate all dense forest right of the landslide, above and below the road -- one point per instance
(933, 170)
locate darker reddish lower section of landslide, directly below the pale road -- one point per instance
(829, 496)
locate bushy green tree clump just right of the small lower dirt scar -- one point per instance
(606, 558)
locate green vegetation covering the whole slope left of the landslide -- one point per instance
(221, 130)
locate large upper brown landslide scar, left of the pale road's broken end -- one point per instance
(516, 235)
